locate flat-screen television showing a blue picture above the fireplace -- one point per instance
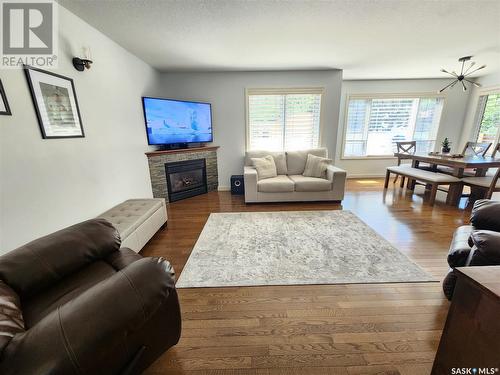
(174, 121)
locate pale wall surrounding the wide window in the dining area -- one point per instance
(452, 118)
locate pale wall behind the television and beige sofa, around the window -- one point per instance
(226, 92)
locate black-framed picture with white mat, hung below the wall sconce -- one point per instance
(48, 130)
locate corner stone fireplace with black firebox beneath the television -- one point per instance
(185, 178)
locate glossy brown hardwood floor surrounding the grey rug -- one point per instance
(317, 329)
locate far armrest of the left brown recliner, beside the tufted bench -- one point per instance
(45, 261)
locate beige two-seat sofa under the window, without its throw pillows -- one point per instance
(291, 185)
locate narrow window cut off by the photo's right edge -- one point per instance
(487, 119)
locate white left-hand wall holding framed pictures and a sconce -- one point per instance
(49, 184)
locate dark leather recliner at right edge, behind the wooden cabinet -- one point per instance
(477, 244)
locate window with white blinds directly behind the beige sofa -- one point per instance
(283, 119)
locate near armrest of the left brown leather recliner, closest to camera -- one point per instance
(91, 334)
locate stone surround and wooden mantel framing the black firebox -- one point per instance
(158, 159)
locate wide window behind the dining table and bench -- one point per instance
(375, 124)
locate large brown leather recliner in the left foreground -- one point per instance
(73, 302)
